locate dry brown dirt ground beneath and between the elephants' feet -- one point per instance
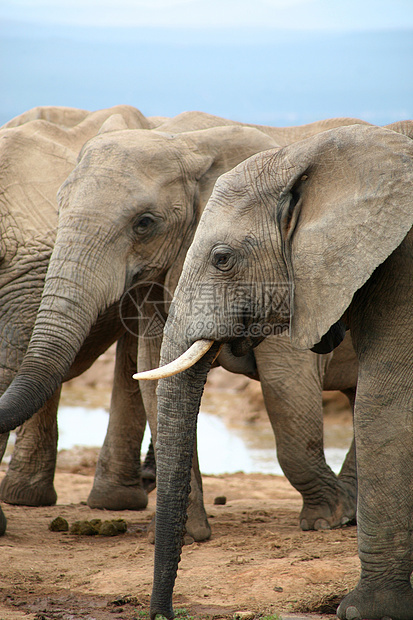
(257, 561)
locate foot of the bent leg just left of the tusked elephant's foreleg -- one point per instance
(328, 516)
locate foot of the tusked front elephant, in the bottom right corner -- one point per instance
(377, 604)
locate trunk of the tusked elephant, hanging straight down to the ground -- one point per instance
(179, 397)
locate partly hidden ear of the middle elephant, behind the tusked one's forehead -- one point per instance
(211, 152)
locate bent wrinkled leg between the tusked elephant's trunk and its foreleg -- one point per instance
(291, 383)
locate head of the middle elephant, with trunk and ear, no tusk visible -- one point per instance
(127, 214)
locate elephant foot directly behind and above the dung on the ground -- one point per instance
(110, 496)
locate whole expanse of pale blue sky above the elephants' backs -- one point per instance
(275, 62)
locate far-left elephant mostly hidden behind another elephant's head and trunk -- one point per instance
(38, 150)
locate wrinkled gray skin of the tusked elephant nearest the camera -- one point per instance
(329, 219)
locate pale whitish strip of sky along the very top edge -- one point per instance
(289, 14)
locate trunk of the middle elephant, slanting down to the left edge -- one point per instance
(73, 296)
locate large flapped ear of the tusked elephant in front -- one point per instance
(345, 208)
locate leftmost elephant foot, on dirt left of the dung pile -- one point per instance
(23, 490)
